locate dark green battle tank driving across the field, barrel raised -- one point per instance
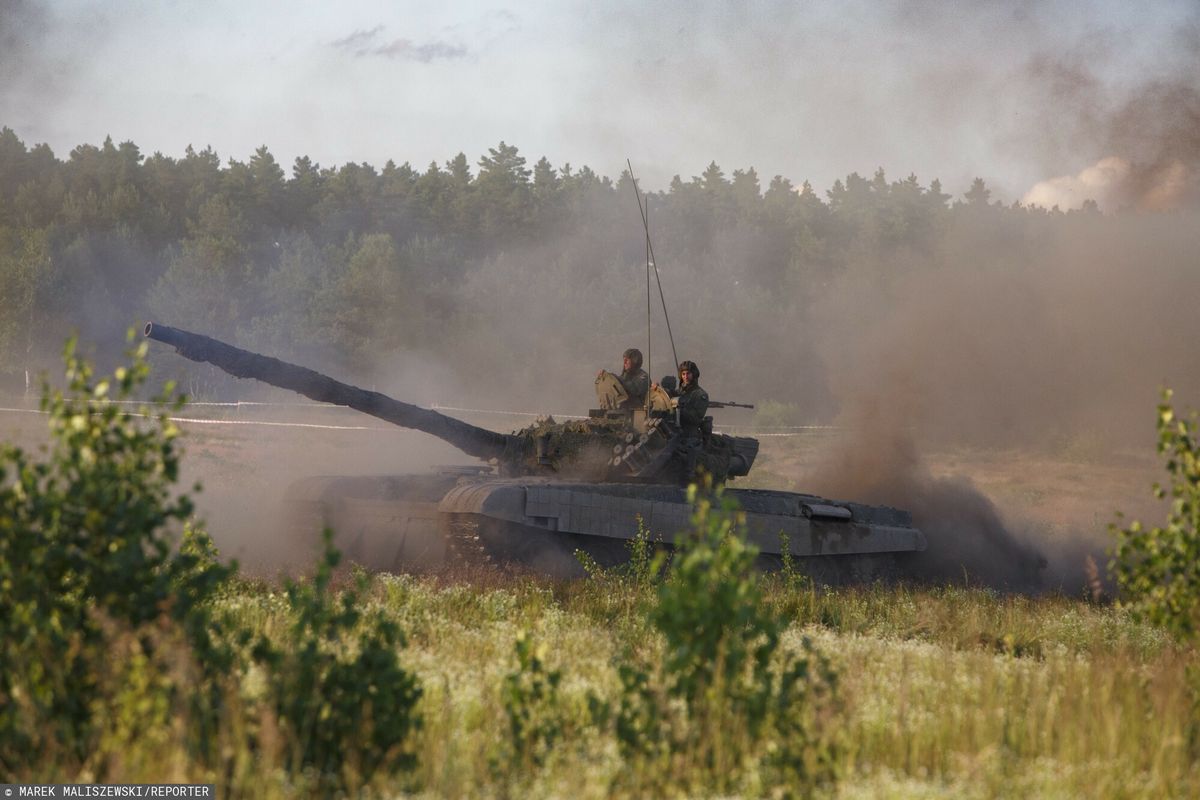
(538, 496)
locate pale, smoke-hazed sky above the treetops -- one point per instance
(1016, 93)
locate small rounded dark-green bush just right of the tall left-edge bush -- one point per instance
(338, 689)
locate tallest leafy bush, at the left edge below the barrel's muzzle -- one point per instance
(86, 545)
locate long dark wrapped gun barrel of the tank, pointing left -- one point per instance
(469, 438)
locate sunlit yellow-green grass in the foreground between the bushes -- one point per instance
(947, 693)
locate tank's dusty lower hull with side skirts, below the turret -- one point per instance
(431, 522)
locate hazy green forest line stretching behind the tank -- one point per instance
(338, 264)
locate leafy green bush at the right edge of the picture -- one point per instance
(1159, 569)
